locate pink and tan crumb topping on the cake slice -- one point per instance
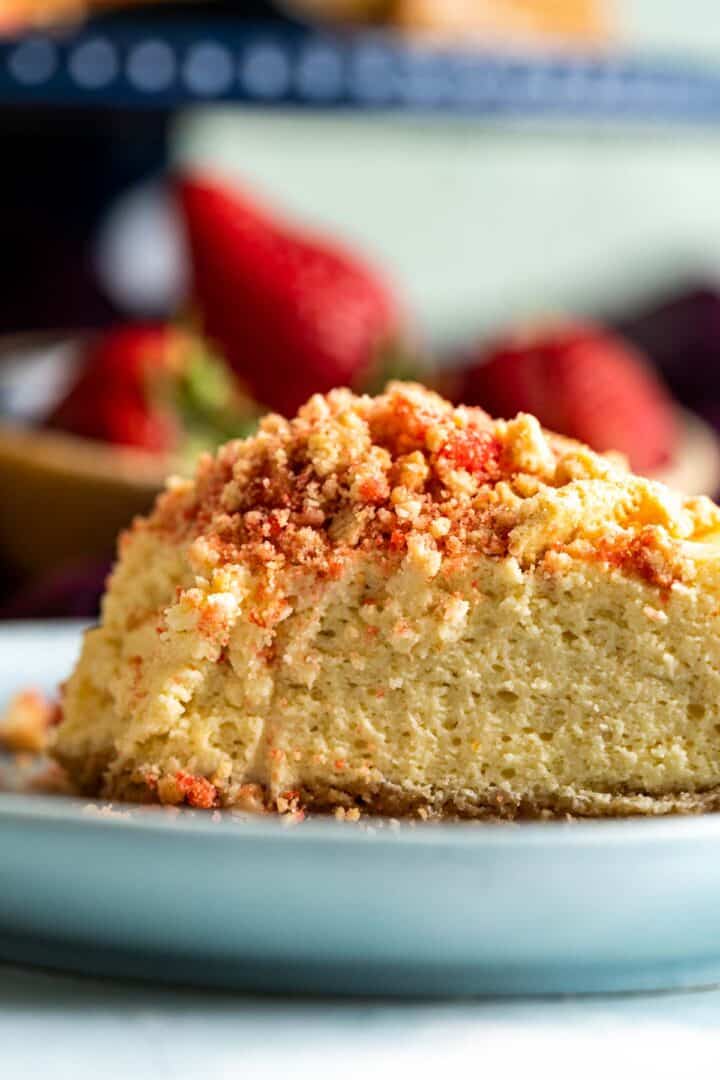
(406, 476)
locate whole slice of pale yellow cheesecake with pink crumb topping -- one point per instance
(398, 606)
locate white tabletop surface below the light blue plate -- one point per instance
(65, 1029)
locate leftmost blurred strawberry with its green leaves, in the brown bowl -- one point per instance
(156, 388)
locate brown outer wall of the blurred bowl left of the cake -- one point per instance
(64, 497)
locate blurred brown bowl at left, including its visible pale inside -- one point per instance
(64, 498)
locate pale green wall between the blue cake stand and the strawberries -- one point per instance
(481, 225)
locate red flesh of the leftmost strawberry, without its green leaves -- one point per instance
(115, 398)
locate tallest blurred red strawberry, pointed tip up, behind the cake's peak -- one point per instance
(293, 314)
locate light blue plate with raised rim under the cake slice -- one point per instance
(327, 907)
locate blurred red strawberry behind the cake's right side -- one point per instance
(582, 382)
